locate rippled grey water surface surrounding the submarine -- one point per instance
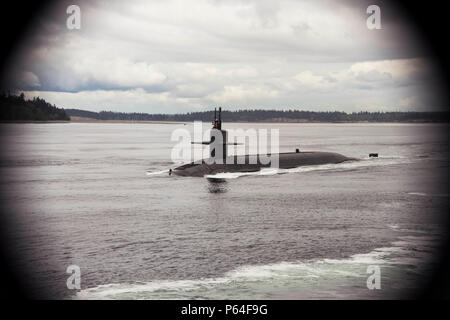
(98, 195)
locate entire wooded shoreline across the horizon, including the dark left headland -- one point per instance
(17, 108)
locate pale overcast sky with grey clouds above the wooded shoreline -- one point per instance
(182, 56)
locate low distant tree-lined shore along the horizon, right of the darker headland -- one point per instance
(270, 116)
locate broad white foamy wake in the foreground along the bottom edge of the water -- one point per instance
(406, 258)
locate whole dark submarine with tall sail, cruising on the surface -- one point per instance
(243, 163)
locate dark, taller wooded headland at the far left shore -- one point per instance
(16, 108)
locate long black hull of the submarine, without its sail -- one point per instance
(242, 163)
